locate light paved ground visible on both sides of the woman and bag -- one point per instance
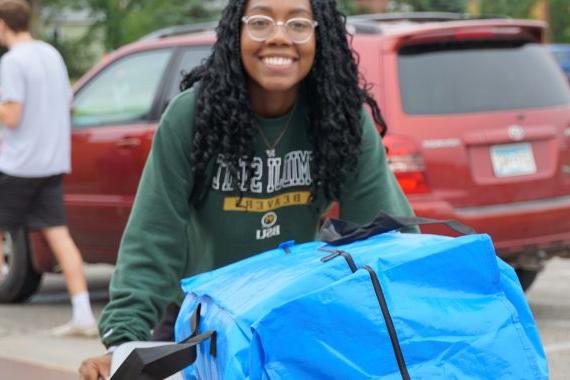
(26, 347)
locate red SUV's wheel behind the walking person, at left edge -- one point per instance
(22, 280)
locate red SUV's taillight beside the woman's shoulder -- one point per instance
(407, 164)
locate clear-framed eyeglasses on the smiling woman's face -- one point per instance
(260, 28)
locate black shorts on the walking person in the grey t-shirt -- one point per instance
(33, 202)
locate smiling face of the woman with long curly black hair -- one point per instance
(277, 65)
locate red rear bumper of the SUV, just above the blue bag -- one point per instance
(522, 227)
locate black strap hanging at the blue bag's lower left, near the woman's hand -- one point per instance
(160, 362)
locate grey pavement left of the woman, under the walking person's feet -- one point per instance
(24, 329)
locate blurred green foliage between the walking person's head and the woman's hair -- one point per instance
(114, 24)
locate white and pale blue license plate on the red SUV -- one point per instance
(513, 160)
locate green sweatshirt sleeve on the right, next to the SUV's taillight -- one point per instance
(373, 187)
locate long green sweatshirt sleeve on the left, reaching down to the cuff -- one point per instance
(154, 249)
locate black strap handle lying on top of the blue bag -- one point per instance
(338, 232)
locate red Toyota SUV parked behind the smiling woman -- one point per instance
(479, 131)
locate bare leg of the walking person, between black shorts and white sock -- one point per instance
(68, 256)
